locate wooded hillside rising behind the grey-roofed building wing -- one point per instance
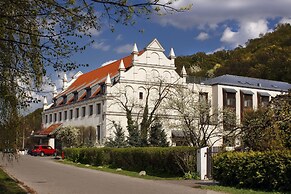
(267, 57)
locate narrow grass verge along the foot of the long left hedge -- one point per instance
(122, 172)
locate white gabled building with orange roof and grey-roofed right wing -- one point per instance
(93, 98)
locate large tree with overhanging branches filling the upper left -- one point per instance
(37, 35)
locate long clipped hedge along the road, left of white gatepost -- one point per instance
(154, 160)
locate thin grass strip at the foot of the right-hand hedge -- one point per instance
(233, 190)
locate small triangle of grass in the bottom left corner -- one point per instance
(8, 185)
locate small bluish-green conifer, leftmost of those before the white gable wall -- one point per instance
(119, 137)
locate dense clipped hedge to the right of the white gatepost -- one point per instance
(257, 170)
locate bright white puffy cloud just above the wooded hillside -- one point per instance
(247, 30)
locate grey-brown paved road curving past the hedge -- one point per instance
(46, 176)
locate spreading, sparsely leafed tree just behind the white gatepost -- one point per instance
(201, 124)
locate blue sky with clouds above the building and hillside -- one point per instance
(209, 26)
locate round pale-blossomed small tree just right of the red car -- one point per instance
(69, 136)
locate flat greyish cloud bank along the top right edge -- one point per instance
(209, 13)
